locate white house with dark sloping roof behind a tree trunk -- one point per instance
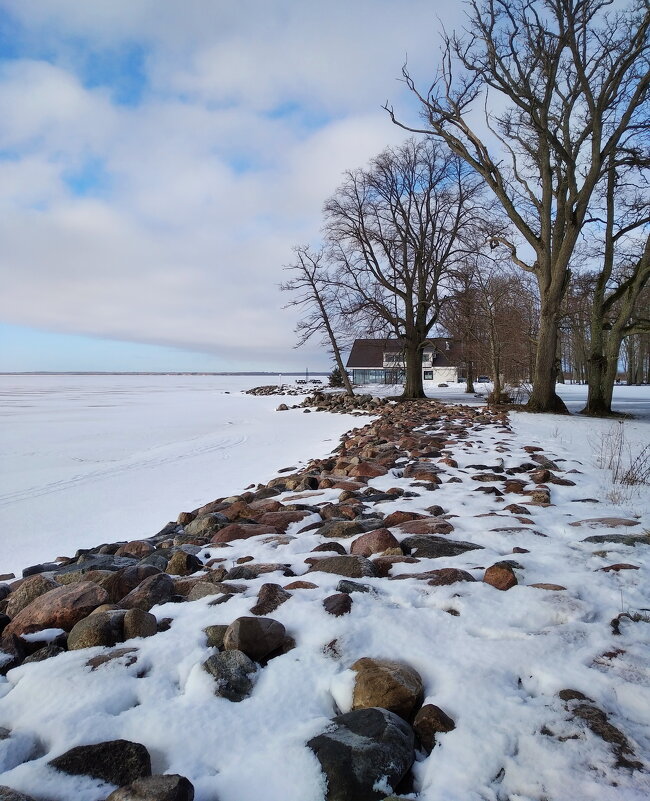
(381, 361)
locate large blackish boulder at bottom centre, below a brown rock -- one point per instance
(361, 749)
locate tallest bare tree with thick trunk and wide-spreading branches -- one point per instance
(562, 83)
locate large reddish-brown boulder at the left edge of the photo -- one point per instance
(57, 609)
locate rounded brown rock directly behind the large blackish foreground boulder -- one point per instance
(387, 684)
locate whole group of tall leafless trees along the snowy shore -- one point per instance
(533, 163)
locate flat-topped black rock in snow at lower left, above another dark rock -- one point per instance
(117, 762)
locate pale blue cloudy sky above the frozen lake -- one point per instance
(159, 159)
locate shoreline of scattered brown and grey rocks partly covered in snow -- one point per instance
(368, 517)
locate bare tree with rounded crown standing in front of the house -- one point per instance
(397, 232)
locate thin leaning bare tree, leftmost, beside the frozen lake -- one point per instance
(313, 289)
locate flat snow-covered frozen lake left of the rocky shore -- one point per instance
(91, 459)
